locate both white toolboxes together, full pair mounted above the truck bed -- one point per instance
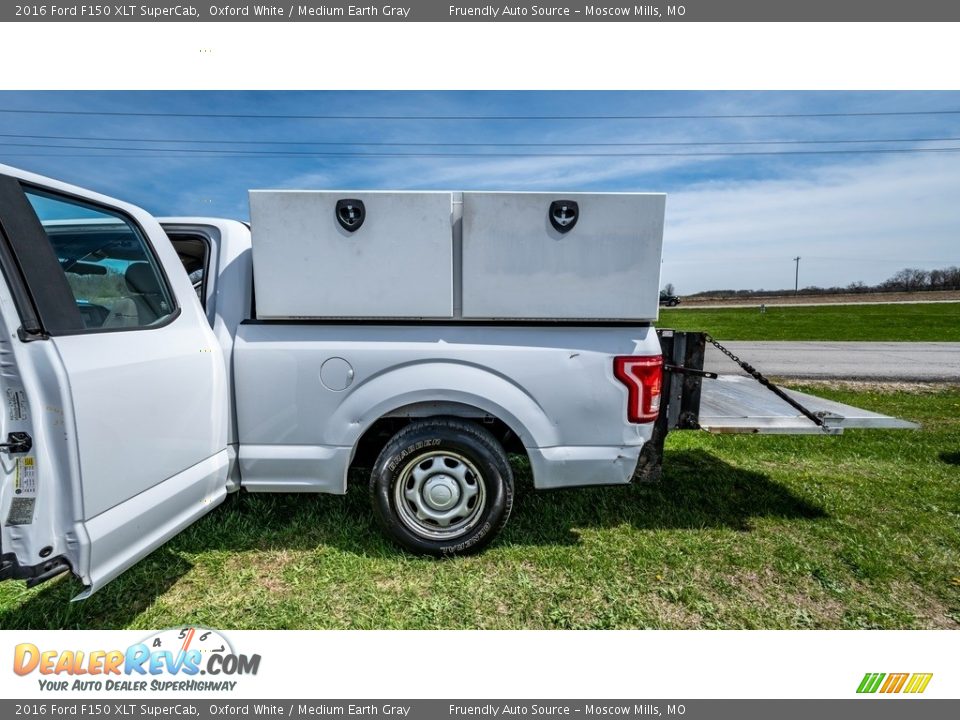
(443, 255)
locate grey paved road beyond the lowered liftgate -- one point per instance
(844, 360)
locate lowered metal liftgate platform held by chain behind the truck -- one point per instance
(736, 404)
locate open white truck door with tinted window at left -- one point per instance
(113, 430)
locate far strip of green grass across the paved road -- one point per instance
(933, 322)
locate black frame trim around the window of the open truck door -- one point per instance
(176, 309)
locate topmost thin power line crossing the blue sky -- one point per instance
(731, 116)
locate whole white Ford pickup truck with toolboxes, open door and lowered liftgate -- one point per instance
(146, 375)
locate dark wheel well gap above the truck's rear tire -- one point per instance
(379, 433)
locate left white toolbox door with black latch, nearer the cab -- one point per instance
(351, 254)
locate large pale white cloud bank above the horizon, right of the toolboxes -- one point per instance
(847, 222)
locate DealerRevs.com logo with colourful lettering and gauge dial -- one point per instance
(178, 659)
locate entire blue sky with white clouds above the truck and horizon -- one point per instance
(732, 222)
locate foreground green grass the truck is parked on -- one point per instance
(857, 531)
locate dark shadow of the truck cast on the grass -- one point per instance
(698, 491)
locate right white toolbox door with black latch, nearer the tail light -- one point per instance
(562, 256)
